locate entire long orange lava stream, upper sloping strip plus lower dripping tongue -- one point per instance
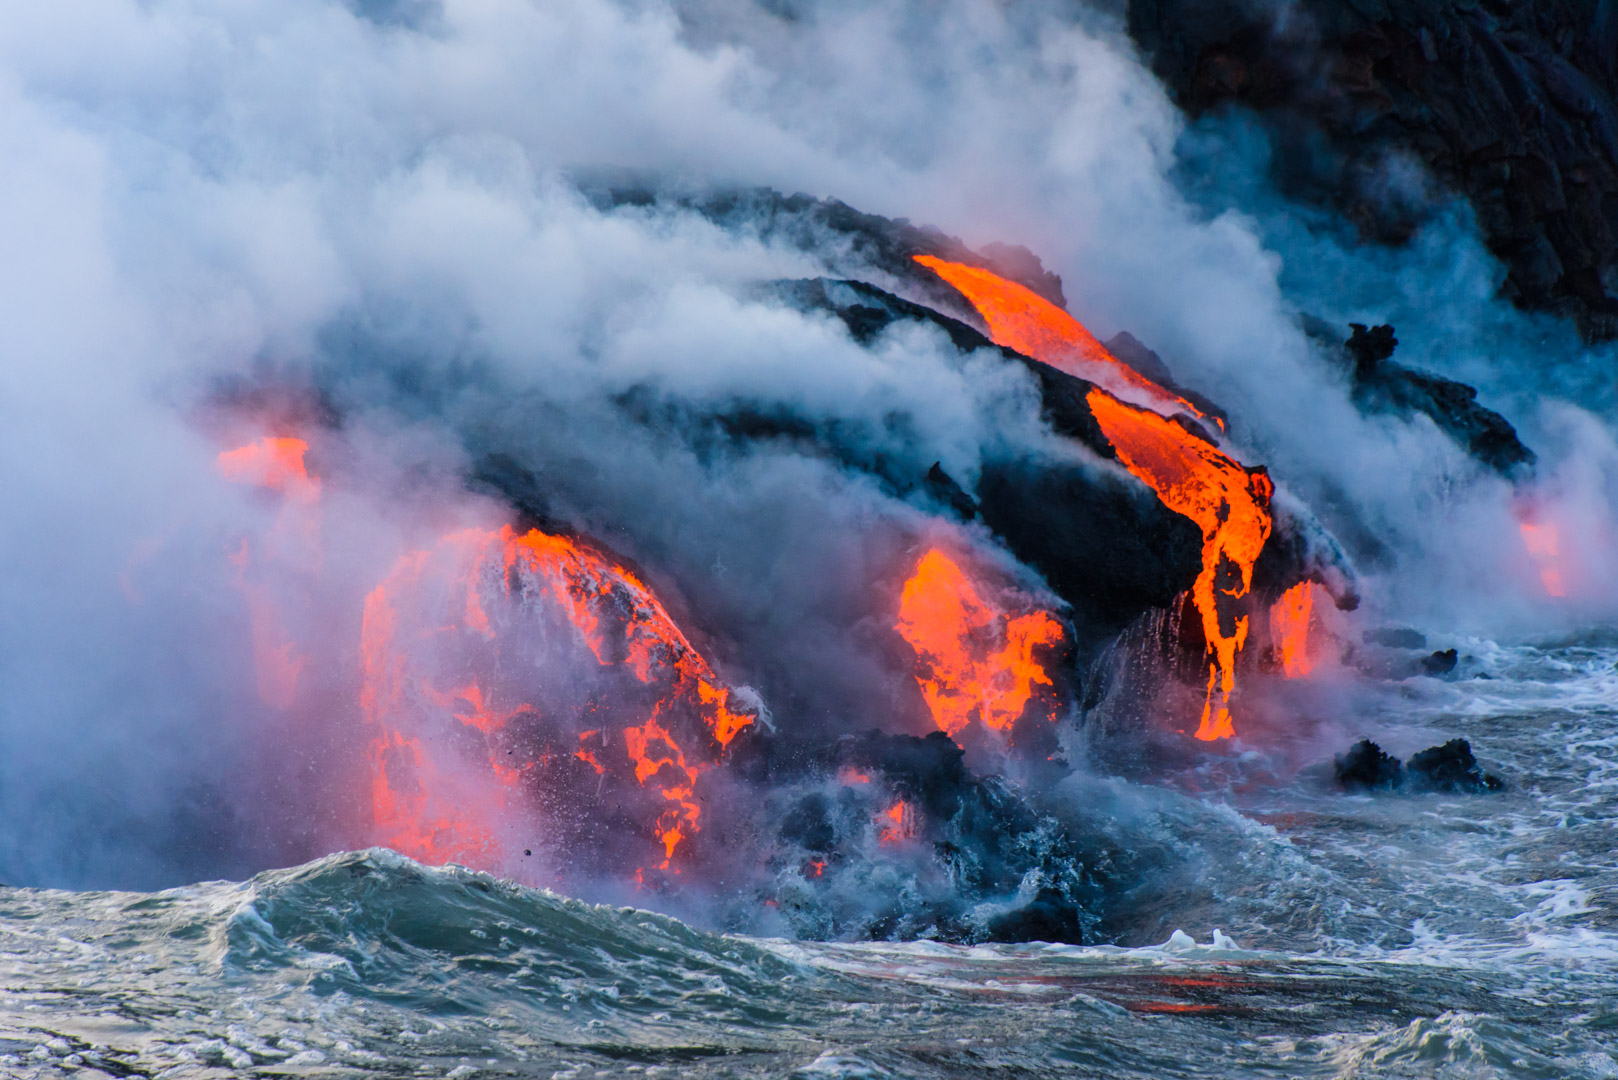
(1229, 503)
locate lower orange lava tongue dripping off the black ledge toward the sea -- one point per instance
(1232, 508)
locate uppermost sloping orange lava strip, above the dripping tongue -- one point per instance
(1020, 318)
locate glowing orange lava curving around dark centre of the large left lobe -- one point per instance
(436, 809)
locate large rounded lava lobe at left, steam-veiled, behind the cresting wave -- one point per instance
(473, 606)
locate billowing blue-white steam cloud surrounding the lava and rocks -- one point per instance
(381, 229)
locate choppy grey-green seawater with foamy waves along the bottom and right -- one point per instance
(1358, 937)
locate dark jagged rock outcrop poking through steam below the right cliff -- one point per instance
(1387, 388)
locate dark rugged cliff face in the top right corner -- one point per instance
(1510, 104)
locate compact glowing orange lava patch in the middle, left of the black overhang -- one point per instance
(978, 660)
